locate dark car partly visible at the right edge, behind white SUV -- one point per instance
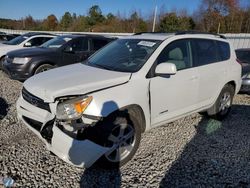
(243, 56)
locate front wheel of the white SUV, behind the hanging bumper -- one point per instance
(110, 130)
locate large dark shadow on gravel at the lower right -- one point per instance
(217, 156)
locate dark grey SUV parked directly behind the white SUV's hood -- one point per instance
(62, 50)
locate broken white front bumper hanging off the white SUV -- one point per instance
(80, 153)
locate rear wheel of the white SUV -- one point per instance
(223, 104)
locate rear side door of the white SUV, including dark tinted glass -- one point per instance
(210, 59)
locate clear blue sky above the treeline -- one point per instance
(40, 9)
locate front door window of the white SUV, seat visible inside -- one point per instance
(178, 53)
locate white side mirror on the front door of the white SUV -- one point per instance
(165, 69)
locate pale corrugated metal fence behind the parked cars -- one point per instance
(241, 40)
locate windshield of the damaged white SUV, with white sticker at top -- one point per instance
(124, 55)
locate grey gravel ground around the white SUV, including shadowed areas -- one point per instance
(191, 152)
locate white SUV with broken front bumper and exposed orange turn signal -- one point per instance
(96, 111)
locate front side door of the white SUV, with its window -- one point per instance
(174, 95)
